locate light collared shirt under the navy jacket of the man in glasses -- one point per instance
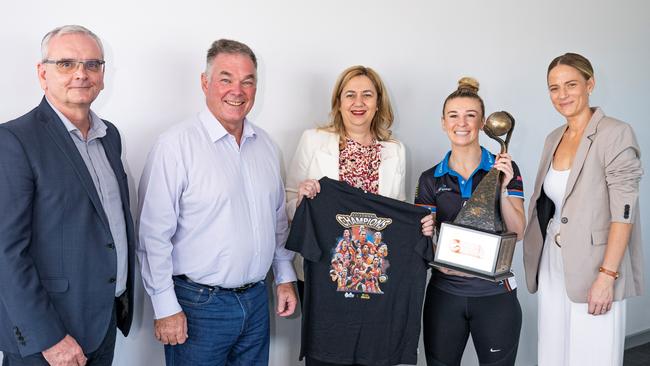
(93, 154)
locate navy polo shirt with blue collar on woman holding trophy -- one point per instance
(444, 192)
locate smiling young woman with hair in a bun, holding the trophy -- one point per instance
(457, 305)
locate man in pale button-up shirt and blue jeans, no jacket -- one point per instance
(212, 223)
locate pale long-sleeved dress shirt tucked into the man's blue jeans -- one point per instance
(212, 210)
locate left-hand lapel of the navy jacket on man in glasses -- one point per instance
(61, 137)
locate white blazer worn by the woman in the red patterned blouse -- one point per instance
(317, 156)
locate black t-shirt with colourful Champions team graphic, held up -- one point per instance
(365, 274)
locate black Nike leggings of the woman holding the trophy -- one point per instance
(494, 322)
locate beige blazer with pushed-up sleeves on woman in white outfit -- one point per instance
(603, 187)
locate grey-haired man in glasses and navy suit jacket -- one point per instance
(66, 233)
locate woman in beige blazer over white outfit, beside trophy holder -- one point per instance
(582, 247)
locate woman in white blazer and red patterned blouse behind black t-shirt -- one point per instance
(356, 147)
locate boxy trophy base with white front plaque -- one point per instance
(480, 253)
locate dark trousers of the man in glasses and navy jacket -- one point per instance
(102, 356)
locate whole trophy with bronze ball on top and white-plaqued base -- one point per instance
(478, 241)
